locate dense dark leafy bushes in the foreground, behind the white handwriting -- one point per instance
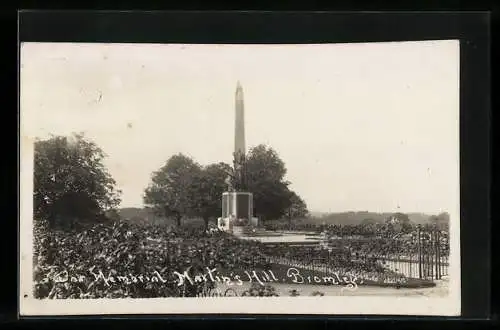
(124, 260)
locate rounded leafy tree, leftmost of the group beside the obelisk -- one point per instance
(174, 188)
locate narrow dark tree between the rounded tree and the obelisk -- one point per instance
(211, 185)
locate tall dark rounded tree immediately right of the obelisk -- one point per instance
(266, 180)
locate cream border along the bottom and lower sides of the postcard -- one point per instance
(358, 305)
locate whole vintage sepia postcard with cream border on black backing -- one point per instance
(261, 179)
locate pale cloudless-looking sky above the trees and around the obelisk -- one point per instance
(368, 127)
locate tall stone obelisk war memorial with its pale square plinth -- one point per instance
(237, 203)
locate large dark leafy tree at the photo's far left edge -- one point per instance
(71, 182)
